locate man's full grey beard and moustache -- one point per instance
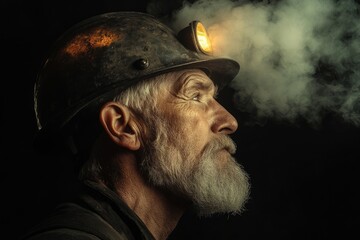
(209, 186)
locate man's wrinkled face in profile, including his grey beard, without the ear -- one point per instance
(192, 153)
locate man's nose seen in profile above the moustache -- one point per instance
(224, 121)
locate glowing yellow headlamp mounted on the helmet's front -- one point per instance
(196, 38)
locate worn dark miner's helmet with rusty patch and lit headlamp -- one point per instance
(103, 55)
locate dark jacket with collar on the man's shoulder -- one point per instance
(97, 213)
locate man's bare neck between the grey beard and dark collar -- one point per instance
(160, 211)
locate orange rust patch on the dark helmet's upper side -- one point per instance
(84, 43)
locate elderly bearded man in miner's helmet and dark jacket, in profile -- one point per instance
(136, 105)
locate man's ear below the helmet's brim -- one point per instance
(119, 125)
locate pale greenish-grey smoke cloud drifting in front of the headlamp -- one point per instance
(298, 58)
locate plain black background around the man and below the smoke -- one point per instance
(304, 180)
